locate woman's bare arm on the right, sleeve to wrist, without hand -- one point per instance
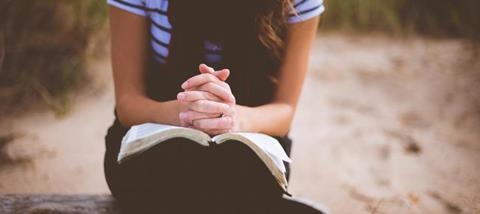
(275, 118)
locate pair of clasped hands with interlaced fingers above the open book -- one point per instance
(207, 102)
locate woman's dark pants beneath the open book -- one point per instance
(181, 176)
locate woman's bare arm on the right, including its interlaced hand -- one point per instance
(273, 118)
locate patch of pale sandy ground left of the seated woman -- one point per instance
(60, 155)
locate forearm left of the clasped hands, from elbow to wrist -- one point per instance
(133, 110)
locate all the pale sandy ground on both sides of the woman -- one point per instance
(383, 126)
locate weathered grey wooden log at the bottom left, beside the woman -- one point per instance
(55, 203)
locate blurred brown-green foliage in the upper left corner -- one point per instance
(45, 45)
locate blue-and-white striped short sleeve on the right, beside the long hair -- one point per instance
(305, 9)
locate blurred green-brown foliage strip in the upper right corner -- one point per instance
(440, 18)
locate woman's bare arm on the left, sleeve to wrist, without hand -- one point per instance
(129, 51)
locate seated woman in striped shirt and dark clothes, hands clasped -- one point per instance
(213, 65)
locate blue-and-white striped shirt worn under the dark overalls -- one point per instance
(160, 29)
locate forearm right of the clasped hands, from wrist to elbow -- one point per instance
(272, 119)
